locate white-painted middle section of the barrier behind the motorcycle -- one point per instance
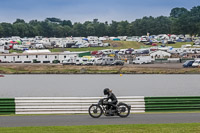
(59, 105)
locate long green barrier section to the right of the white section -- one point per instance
(185, 103)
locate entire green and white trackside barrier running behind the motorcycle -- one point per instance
(64, 105)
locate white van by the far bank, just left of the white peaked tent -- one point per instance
(142, 60)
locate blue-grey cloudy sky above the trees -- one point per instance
(84, 10)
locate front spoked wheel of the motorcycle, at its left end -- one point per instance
(95, 111)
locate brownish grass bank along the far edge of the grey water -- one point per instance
(68, 69)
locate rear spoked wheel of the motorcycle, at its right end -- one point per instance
(123, 110)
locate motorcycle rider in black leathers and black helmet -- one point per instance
(112, 97)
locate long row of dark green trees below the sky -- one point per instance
(180, 21)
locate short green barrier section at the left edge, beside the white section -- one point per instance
(7, 106)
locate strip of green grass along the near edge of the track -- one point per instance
(137, 128)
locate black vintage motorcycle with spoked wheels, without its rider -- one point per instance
(121, 109)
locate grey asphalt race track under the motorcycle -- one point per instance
(69, 120)
